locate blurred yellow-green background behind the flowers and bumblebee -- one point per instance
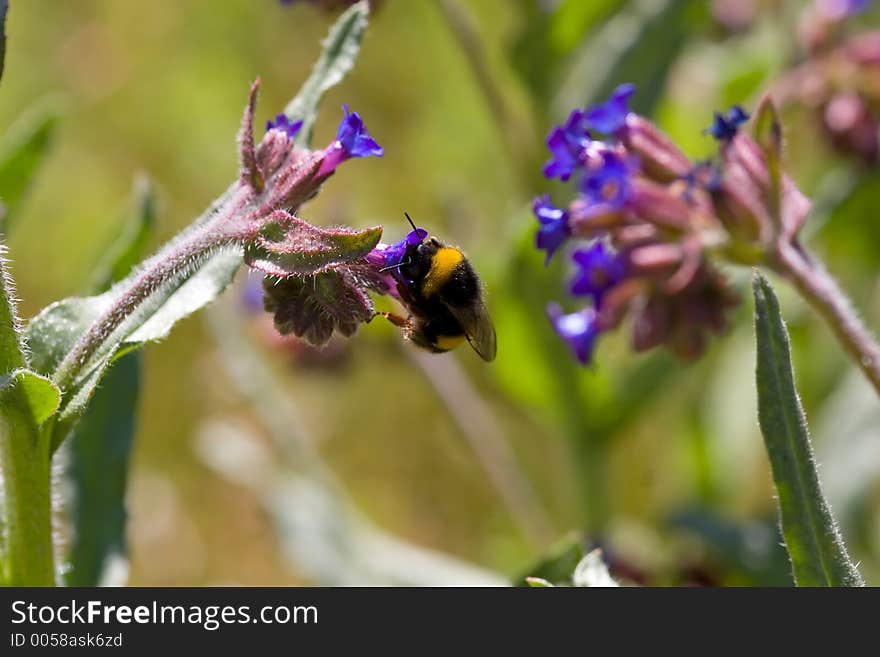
(659, 461)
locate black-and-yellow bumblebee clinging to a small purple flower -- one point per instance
(443, 294)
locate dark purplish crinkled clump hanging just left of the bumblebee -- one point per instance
(313, 307)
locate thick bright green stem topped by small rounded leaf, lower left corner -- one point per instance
(27, 400)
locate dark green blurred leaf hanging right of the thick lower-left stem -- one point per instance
(100, 448)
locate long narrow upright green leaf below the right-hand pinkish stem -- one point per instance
(812, 538)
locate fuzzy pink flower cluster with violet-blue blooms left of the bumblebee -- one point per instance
(316, 279)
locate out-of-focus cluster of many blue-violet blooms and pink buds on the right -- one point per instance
(650, 220)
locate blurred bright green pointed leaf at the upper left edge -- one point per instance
(24, 149)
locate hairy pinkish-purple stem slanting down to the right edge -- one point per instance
(818, 287)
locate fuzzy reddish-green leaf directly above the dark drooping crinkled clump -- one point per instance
(288, 246)
